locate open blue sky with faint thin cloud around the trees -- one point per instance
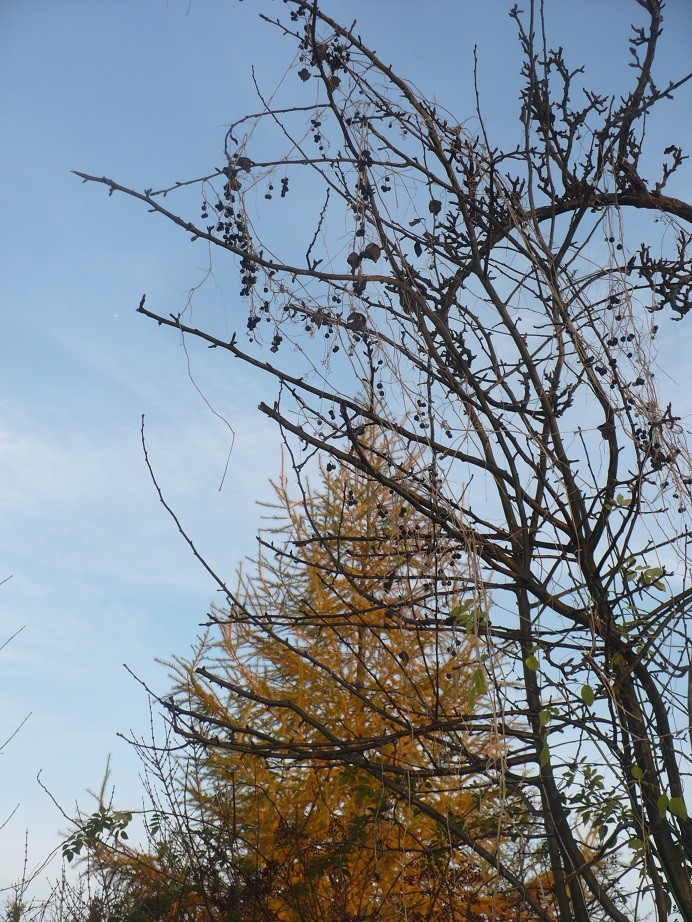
(141, 90)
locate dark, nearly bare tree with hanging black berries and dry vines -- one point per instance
(497, 311)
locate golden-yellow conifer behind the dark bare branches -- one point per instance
(315, 675)
